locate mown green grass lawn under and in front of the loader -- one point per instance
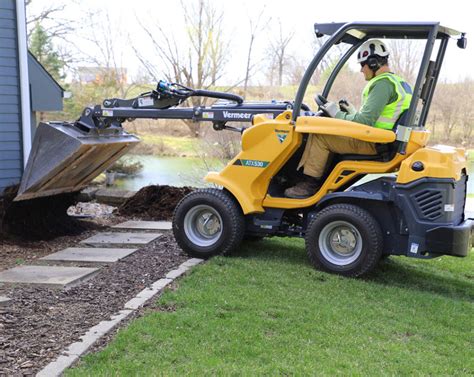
(266, 311)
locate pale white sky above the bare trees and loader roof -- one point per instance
(127, 19)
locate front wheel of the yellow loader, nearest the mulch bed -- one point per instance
(208, 222)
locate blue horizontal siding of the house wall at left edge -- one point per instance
(10, 110)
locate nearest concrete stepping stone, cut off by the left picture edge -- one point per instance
(54, 276)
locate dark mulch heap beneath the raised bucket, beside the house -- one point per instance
(38, 219)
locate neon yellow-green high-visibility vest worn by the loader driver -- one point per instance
(391, 111)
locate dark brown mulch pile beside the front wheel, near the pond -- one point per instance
(154, 202)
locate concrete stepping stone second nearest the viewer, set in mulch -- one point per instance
(88, 254)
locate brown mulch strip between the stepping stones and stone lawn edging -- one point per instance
(41, 322)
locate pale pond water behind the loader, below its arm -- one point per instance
(188, 171)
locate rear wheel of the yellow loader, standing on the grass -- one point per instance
(344, 239)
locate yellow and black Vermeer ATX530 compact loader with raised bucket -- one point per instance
(415, 208)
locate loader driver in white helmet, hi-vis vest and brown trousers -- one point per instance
(385, 97)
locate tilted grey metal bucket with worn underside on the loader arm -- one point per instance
(64, 158)
